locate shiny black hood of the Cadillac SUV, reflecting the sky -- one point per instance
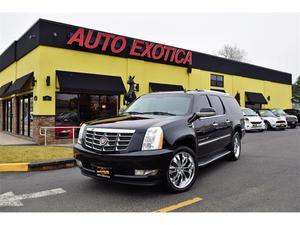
(140, 123)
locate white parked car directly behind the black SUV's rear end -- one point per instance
(252, 120)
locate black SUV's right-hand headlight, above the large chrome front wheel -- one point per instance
(153, 139)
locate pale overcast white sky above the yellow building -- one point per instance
(271, 40)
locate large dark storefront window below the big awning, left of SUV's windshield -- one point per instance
(73, 109)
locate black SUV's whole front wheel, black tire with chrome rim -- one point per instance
(173, 170)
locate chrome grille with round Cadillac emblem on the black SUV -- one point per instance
(115, 139)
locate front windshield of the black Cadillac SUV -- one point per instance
(168, 104)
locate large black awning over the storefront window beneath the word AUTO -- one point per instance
(84, 83)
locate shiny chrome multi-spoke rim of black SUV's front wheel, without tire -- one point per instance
(182, 170)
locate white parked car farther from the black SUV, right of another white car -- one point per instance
(272, 121)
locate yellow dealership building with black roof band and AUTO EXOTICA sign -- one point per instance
(58, 75)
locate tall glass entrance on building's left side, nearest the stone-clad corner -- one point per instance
(25, 115)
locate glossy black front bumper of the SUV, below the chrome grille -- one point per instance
(122, 167)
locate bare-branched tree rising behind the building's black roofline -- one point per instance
(233, 53)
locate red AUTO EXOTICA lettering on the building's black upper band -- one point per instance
(118, 44)
